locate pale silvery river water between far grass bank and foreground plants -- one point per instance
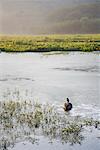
(50, 78)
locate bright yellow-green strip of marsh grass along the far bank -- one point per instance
(48, 43)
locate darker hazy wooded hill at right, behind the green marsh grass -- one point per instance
(83, 18)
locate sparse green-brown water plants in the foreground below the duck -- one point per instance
(25, 121)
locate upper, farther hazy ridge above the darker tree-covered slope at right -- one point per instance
(90, 11)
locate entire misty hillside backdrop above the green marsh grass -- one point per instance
(49, 16)
